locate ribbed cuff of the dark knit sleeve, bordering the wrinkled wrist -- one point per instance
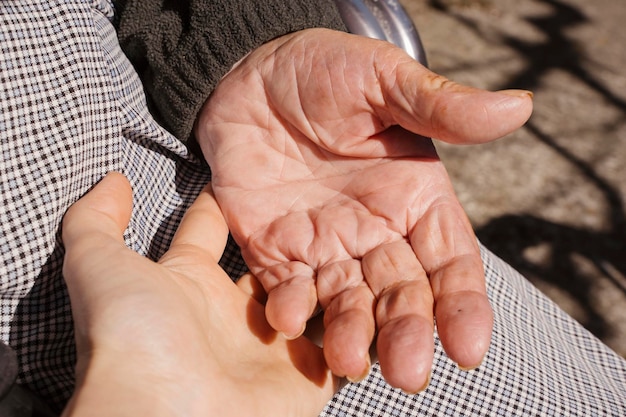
(218, 38)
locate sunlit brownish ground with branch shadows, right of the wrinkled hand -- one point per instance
(550, 198)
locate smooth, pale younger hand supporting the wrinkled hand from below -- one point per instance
(177, 337)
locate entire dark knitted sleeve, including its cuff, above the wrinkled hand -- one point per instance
(182, 53)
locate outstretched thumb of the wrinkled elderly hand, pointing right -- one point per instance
(431, 105)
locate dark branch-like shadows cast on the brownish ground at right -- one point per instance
(511, 236)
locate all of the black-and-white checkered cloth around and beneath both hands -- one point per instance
(72, 109)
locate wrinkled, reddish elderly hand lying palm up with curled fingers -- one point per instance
(321, 165)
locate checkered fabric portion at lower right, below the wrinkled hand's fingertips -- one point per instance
(541, 363)
